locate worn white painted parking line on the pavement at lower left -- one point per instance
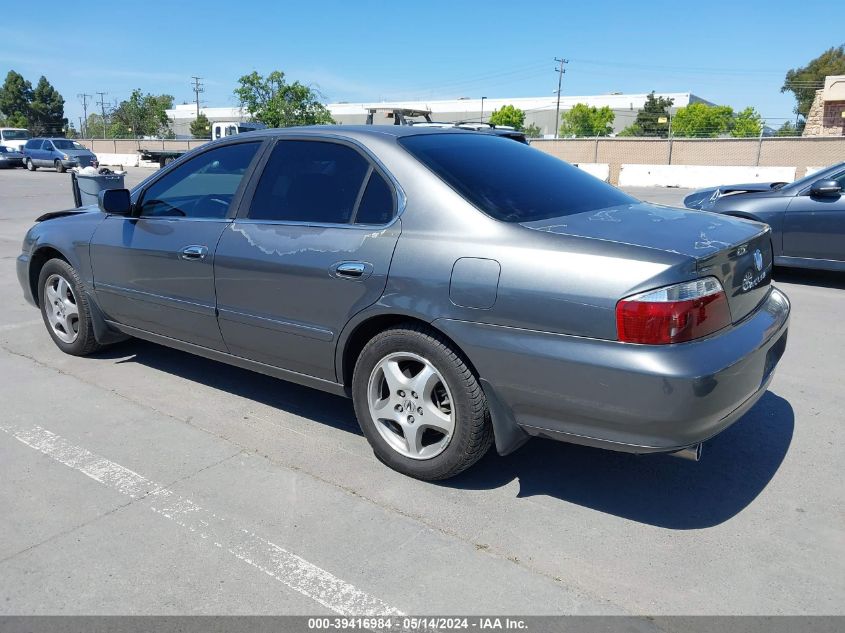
(291, 570)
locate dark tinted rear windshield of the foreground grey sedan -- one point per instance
(510, 181)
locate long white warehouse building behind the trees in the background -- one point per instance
(538, 110)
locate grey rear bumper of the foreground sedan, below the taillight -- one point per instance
(633, 398)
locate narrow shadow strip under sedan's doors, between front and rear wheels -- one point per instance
(309, 403)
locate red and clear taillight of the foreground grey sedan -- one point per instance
(674, 314)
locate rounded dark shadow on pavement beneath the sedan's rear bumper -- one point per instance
(658, 490)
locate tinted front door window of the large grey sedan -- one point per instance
(203, 187)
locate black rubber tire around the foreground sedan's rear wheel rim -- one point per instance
(473, 433)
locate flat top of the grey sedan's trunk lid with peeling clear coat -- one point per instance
(692, 233)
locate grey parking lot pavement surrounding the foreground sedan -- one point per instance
(147, 481)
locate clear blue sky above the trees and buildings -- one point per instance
(728, 52)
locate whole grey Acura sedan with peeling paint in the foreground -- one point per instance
(463, 289)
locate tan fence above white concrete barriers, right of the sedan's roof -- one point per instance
(800, 153)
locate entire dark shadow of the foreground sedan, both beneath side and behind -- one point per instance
(654, 489)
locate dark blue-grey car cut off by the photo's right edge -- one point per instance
(807, 216)
